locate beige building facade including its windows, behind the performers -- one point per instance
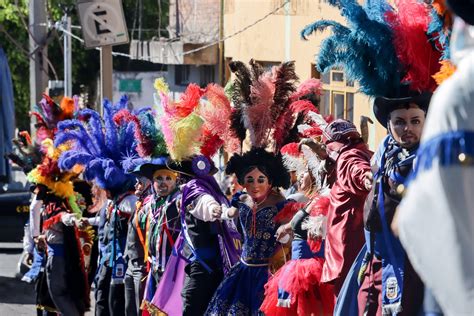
(277, 38)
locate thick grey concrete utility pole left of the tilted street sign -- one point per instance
(38, 50)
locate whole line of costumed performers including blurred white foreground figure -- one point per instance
(308, 220)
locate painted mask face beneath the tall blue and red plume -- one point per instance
(406, 126)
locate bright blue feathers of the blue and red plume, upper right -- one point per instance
(364, 48)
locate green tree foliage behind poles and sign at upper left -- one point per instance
(85, 63)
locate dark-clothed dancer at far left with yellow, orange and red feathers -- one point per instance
(65, 271)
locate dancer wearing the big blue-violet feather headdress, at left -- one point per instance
(100, 148)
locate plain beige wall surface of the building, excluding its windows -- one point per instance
(269, 41)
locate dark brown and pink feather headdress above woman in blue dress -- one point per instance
(267, 105)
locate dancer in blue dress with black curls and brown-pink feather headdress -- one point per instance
(262, 107)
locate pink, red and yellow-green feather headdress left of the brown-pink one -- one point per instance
(198, 123)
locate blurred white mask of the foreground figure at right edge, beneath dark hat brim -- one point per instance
(462, 40)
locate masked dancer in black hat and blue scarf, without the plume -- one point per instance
(388, 282)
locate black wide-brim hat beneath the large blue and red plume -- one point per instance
(383, 106)
